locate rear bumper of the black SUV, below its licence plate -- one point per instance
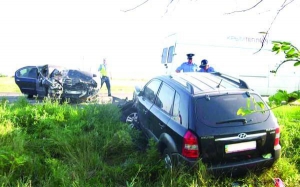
(250, 164)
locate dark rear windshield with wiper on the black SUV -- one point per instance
(222, 110)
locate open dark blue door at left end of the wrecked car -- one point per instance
(26, 79)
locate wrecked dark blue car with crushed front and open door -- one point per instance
(57, 82)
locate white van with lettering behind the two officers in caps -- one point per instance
(236, 55)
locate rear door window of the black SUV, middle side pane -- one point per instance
(165, 98)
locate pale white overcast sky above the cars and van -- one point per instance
(80, 33)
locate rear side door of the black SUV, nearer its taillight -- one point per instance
(161, 111)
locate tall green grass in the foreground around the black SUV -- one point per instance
(52, 144)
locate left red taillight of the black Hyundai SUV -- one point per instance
(190, 145)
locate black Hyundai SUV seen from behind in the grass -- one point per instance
(193, 116)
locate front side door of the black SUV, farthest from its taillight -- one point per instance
(146, 101)
